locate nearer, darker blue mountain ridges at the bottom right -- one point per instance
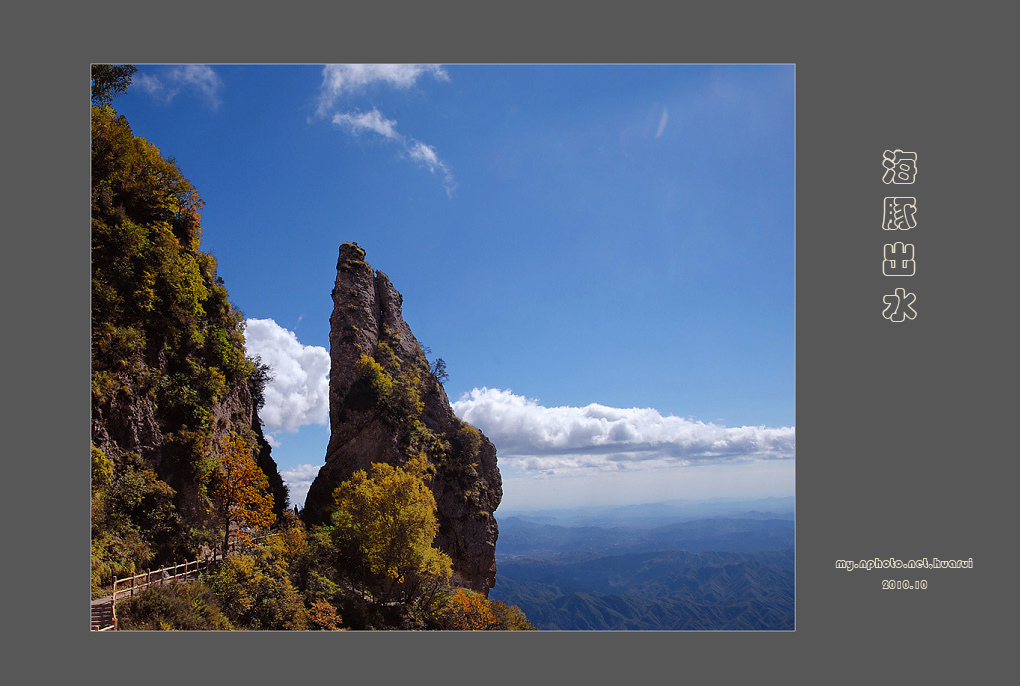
(675, 591)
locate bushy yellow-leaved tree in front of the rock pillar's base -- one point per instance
(385, 525)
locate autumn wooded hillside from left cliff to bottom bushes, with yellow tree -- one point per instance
(179, 463)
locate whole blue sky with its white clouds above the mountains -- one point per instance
(602, 255)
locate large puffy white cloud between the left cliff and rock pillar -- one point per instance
(299, 393)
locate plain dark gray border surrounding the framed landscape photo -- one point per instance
(903, 438)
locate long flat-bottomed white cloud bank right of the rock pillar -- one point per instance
(597, 438)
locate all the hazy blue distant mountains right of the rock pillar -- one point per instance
(715, 573)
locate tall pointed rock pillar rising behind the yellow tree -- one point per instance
(368, 428)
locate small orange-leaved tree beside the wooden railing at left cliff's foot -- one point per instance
(242, 491)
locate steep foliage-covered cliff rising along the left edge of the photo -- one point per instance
(171, 379)
